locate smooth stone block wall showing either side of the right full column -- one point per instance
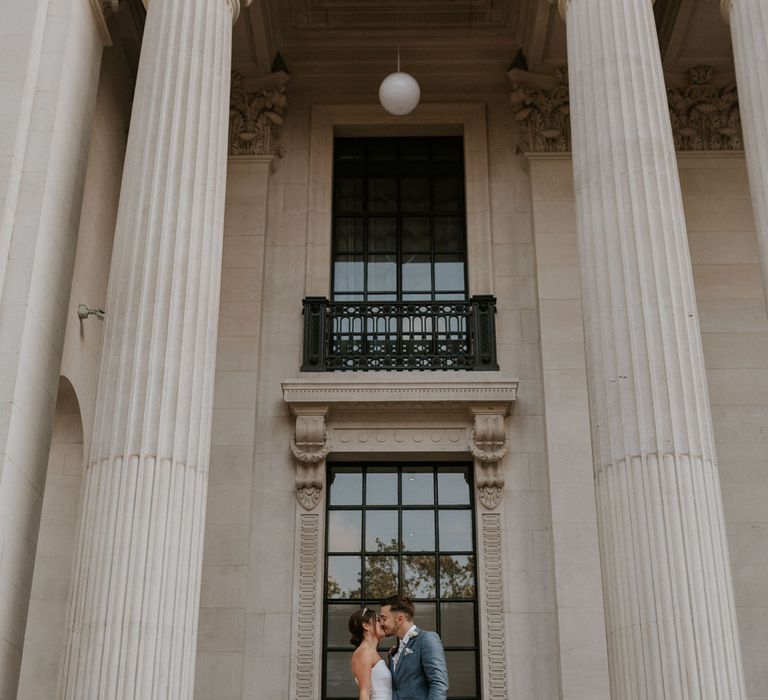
(732, 312)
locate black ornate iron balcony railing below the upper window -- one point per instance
(399, 335)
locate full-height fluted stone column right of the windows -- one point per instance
(670, 618)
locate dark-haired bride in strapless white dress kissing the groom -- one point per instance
(371, 673)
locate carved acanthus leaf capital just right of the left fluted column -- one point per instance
(255, 117)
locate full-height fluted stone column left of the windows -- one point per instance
(133, 623)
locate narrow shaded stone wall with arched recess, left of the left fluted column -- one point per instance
(51, 584)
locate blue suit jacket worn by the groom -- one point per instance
(421, 673)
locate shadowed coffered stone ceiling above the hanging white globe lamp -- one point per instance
(448, 42)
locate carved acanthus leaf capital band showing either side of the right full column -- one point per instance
(704, 112)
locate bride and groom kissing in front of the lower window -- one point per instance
(415, 668)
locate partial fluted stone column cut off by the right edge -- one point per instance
(749, 29)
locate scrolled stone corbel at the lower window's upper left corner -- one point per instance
(310, 448)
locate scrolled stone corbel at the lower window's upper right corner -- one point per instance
(488, 445)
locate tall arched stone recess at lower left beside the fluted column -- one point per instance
(46, 627)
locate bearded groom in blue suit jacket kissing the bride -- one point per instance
(417, 663)
